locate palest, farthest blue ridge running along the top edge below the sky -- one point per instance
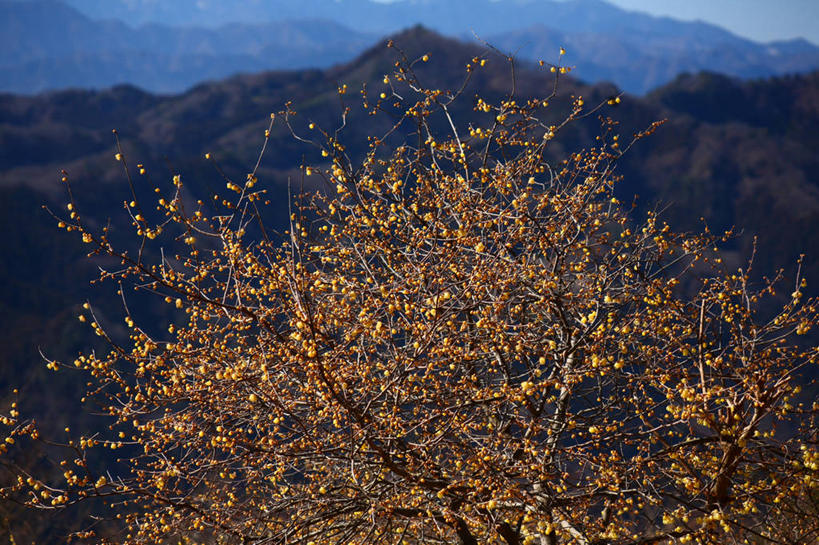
(446, 16)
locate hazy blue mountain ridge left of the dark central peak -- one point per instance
(46, 44)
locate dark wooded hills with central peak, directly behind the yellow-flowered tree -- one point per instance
(736, 153)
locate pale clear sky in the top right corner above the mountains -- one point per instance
(760, 20)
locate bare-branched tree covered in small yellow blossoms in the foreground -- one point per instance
(459, 339)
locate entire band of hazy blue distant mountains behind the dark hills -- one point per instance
(168, 47)
